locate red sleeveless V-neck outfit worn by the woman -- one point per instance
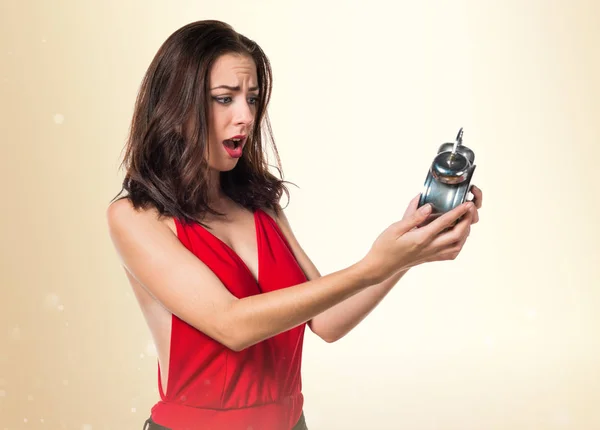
(212, 387)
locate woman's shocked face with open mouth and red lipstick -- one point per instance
(233, 99)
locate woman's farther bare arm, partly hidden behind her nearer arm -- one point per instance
(334, 323)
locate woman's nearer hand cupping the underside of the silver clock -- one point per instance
(405, 244)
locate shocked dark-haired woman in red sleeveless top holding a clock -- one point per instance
(224, 286)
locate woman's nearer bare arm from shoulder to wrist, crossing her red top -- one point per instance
(152, 254)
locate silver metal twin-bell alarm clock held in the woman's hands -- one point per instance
(449, 178)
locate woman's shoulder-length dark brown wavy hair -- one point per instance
(169, 171)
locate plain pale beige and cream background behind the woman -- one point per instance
(505, 337)
